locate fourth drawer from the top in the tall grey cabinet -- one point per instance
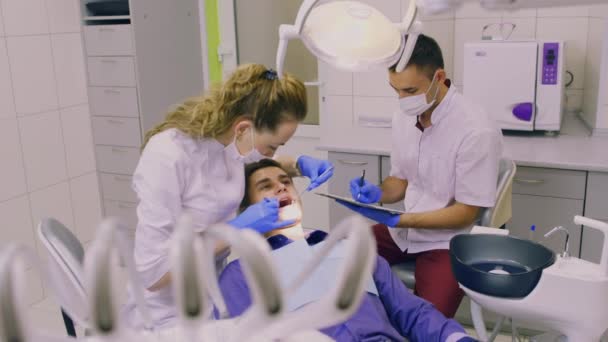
(116, 131)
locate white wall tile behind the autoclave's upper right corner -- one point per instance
(574, 32)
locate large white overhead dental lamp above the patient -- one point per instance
(351, 35)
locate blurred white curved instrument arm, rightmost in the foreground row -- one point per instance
(344, 299)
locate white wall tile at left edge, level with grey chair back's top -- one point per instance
(16, 222)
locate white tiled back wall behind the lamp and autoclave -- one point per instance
(360, 93)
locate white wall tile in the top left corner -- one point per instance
(24, 17)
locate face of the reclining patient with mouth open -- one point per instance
(273, 182)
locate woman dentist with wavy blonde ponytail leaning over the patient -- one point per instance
(194, 161)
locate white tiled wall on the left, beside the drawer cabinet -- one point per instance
(46, 150)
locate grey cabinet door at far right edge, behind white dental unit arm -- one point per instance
(596, 207)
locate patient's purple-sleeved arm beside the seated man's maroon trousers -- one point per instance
(413, 317)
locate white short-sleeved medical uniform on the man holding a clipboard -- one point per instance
(455, 159)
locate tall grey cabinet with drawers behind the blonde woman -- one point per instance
(138, 66)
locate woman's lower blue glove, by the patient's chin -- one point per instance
(261, 217)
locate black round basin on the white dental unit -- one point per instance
(496, 265)
